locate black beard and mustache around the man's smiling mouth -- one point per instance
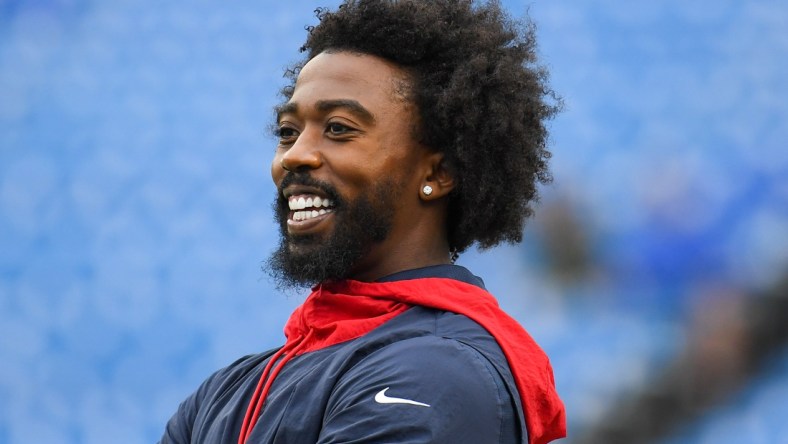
(358, 225)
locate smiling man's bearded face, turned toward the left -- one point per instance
(346, 170)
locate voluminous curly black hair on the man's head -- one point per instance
(482, 100)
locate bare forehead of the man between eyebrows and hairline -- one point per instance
(374, 82)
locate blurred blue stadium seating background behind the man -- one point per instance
(135, 215)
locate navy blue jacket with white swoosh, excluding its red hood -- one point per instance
(424, 376)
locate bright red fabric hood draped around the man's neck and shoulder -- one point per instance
(340, 311)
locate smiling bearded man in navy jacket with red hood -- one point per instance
(412, 130)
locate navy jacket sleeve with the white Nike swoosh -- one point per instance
(421, 390)
